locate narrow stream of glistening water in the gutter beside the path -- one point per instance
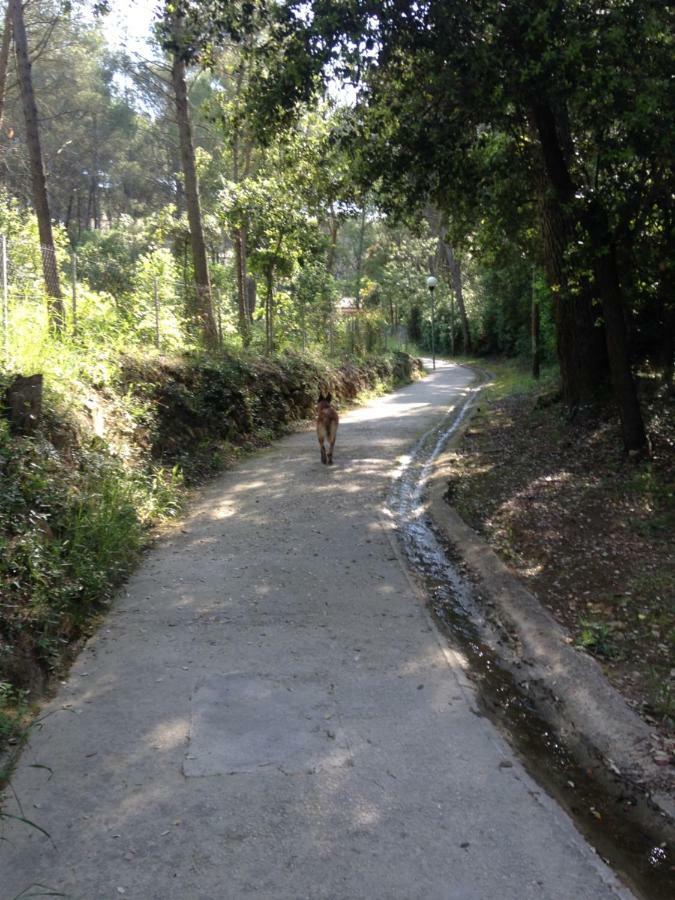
(614, 819)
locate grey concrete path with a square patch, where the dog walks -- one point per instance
(269, 711)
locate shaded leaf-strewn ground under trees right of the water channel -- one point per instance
(589, 531)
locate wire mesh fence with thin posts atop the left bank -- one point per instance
(47, 291)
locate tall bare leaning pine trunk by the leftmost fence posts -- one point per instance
(55, 309)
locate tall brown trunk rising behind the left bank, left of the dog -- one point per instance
(200, 309)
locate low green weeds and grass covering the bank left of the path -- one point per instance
(71, 525)
